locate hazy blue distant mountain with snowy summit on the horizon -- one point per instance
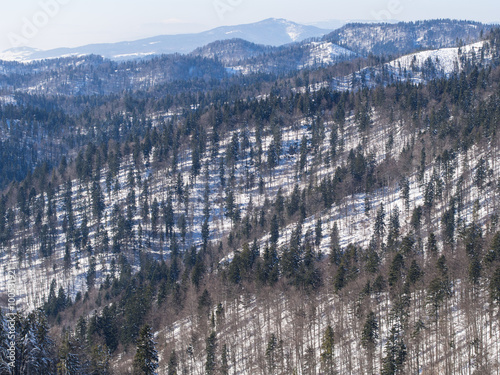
(272, 32)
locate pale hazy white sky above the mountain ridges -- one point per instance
(47, 24)
